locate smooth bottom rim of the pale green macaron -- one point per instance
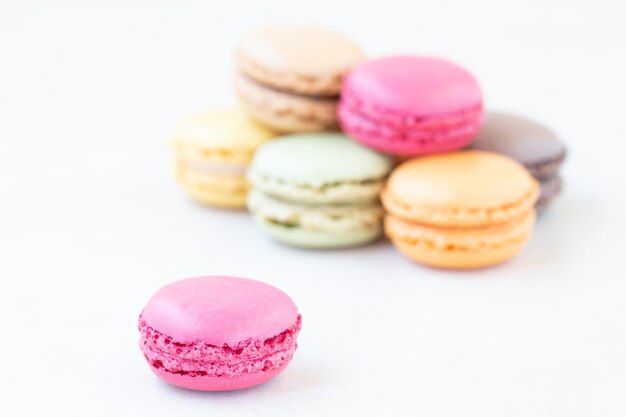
(317, 239)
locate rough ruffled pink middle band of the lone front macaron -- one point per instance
(200, 359)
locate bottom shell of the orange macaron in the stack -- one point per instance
(464, 248)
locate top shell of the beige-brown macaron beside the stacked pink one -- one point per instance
(309, 60)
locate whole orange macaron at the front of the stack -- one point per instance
(460, 210)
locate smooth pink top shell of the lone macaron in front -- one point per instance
(220, 310)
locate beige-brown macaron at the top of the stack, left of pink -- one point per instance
(289, 77)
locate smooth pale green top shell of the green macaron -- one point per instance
(317, 159)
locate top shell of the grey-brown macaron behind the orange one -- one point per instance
(522, 139)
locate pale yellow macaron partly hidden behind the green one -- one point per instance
(212, 152)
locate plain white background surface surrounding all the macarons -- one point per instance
(92, 223)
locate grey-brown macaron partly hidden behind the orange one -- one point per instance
(534, 145)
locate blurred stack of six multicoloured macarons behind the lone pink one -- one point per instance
(310, 152)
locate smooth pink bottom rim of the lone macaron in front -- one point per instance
(222, 383)
